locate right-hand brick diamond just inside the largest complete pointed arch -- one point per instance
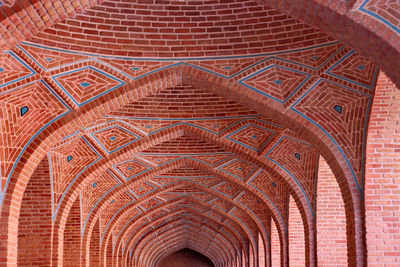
(252, 136)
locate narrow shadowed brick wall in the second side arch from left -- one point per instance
(72, 236)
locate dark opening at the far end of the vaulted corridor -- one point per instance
(186, 258)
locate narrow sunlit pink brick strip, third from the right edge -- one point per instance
(297, 243)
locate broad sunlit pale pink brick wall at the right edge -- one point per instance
(382, 178)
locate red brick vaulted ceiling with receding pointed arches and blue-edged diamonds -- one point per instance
(182, 123)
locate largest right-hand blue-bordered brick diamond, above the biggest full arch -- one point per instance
(277, 82)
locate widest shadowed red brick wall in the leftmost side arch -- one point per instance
(34, 233)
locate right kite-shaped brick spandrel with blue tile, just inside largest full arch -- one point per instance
(303, 169)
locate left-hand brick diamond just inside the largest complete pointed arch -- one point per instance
(114, 137)
